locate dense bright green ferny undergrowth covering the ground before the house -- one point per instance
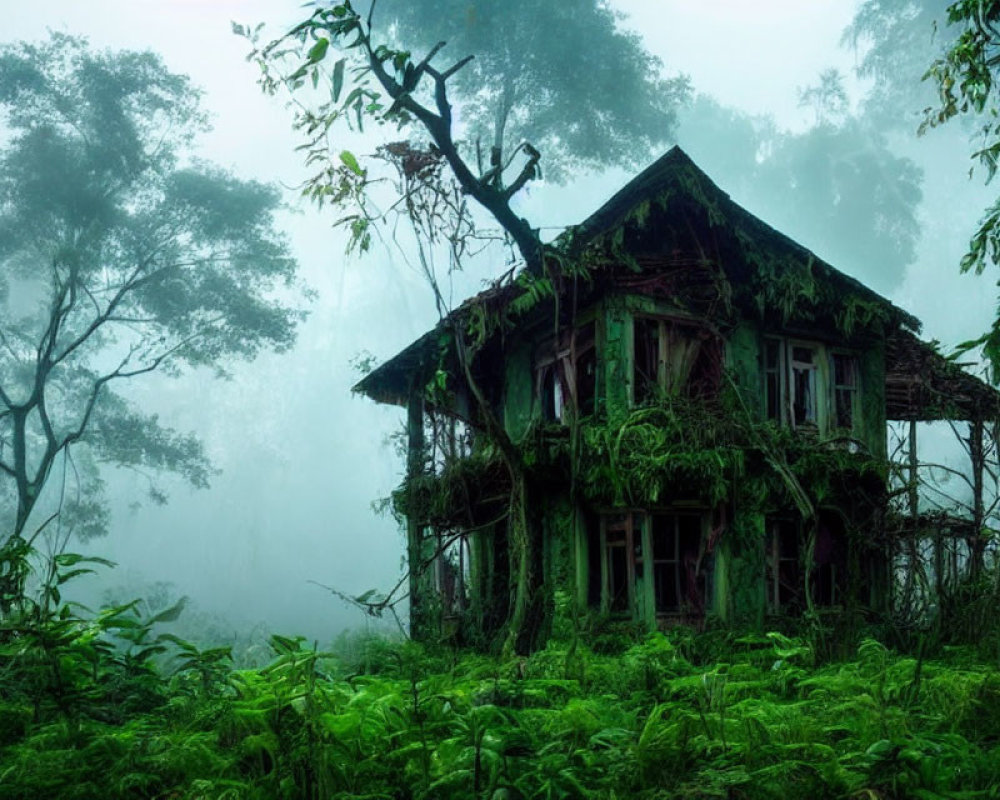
(104, 706)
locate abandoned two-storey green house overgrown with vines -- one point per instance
(686, 419)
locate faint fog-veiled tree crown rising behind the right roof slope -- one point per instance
(837, 186)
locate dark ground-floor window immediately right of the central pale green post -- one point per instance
(677, 584)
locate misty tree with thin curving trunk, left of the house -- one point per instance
(119, 256)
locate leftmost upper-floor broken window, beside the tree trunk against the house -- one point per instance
(567, 370)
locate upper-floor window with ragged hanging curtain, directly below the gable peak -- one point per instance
(672, 357)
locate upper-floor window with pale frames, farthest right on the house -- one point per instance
(806, 386)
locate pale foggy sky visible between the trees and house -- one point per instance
(301, 458)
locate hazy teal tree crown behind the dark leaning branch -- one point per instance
(590, 96)
